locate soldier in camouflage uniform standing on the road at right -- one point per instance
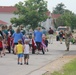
(67, 38)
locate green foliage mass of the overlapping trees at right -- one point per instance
(67, 18)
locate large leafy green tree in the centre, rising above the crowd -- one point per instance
(31, 12)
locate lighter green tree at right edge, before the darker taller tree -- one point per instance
(67, 19)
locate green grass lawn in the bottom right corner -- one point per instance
(68, 69)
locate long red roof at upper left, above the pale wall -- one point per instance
(7, 9)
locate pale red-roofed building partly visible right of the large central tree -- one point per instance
(49, 22)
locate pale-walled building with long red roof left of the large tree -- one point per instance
(6, 13)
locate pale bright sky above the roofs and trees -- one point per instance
(70, 4)
